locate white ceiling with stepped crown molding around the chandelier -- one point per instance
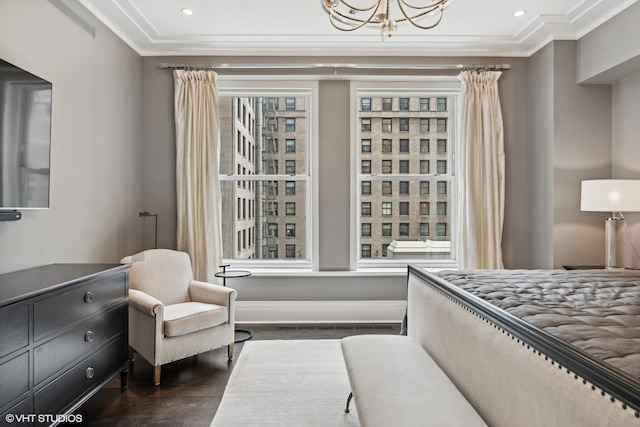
(302, 28)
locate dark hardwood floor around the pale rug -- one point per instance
(190, 390)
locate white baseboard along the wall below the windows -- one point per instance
(320, 311)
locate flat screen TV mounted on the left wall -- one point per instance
(25, 139)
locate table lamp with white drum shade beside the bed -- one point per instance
(615, 196)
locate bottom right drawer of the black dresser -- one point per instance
(72, 384)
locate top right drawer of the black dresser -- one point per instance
(65, 308)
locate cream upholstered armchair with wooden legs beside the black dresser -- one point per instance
(171, 315)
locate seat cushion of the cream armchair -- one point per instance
(185, 318)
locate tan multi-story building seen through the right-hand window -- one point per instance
(394, 189)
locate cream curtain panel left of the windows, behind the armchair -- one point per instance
(199, 214)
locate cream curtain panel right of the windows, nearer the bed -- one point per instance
(480, 170)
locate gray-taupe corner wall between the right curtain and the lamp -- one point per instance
(570, 142)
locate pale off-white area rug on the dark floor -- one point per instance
(287, 383)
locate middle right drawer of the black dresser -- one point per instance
(73, 344)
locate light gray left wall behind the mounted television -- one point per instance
(96, 130)
